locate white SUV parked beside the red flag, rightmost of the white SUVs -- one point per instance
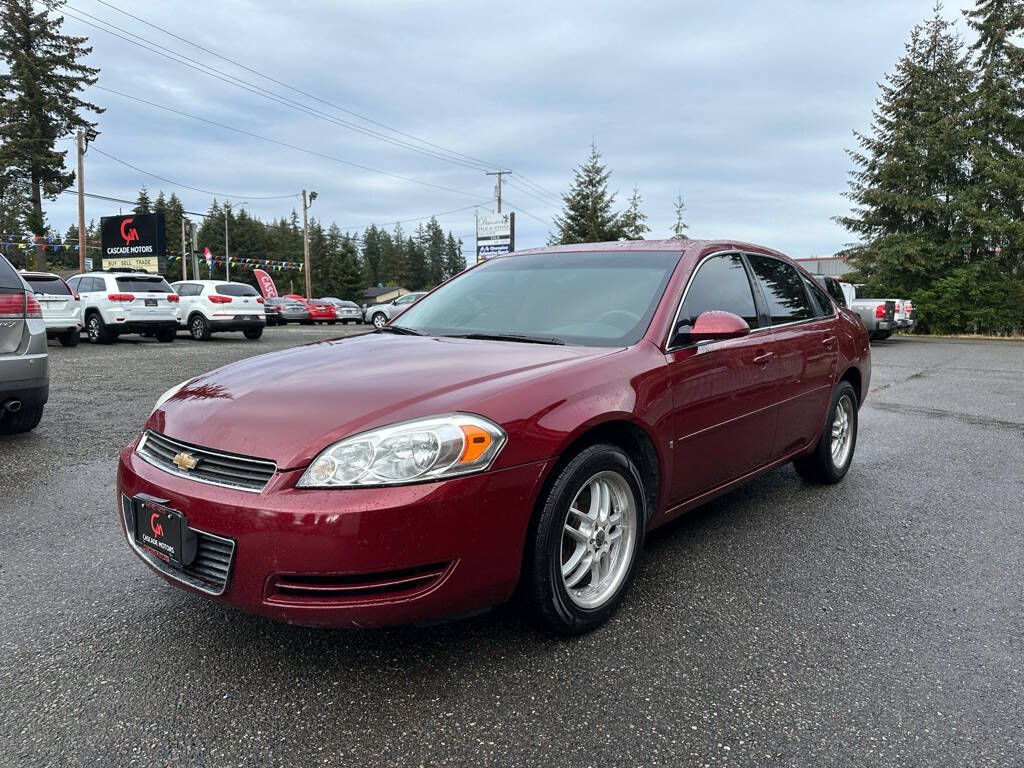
(209, 306)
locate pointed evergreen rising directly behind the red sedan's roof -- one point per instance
(587, 208)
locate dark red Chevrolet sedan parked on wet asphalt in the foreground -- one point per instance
(524, 425)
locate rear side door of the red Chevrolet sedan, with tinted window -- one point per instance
(805, 350)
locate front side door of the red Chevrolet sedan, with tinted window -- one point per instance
(723, 418)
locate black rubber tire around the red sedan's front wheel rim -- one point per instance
(543, 586)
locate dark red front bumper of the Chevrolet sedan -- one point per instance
(359, 558)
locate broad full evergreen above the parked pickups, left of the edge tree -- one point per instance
(911, 170)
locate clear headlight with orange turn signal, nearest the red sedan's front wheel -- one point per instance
(430, 449)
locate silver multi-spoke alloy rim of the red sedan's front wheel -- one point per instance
(599, 539)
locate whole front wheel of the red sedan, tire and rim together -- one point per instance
(586, 540)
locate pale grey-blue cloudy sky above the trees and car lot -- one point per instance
(744, 107)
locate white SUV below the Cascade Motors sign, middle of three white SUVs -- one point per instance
(120, 303)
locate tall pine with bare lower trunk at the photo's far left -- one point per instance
(39, 103)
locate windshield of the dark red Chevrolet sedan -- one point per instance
(589, 300)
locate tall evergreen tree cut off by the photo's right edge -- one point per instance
(995, 203)
